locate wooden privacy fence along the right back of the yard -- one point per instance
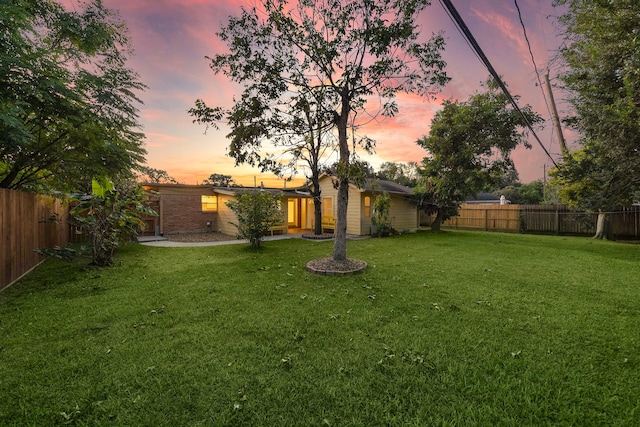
(544, 219)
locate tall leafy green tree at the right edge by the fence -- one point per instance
(602, 54)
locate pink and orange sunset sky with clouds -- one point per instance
(172, 37)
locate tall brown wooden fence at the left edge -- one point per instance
(27, 222)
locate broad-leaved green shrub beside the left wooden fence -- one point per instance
(110, 216)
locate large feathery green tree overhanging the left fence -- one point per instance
(67, 99)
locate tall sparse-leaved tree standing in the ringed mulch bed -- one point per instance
(338, 54)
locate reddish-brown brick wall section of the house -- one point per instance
(183, 214)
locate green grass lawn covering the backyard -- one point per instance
(442, 329)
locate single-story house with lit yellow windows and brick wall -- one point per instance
(185, 208)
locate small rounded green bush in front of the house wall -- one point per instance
(257, 212)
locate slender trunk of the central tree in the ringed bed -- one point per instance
(340, 241)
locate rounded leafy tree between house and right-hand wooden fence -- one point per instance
(469, 148)
